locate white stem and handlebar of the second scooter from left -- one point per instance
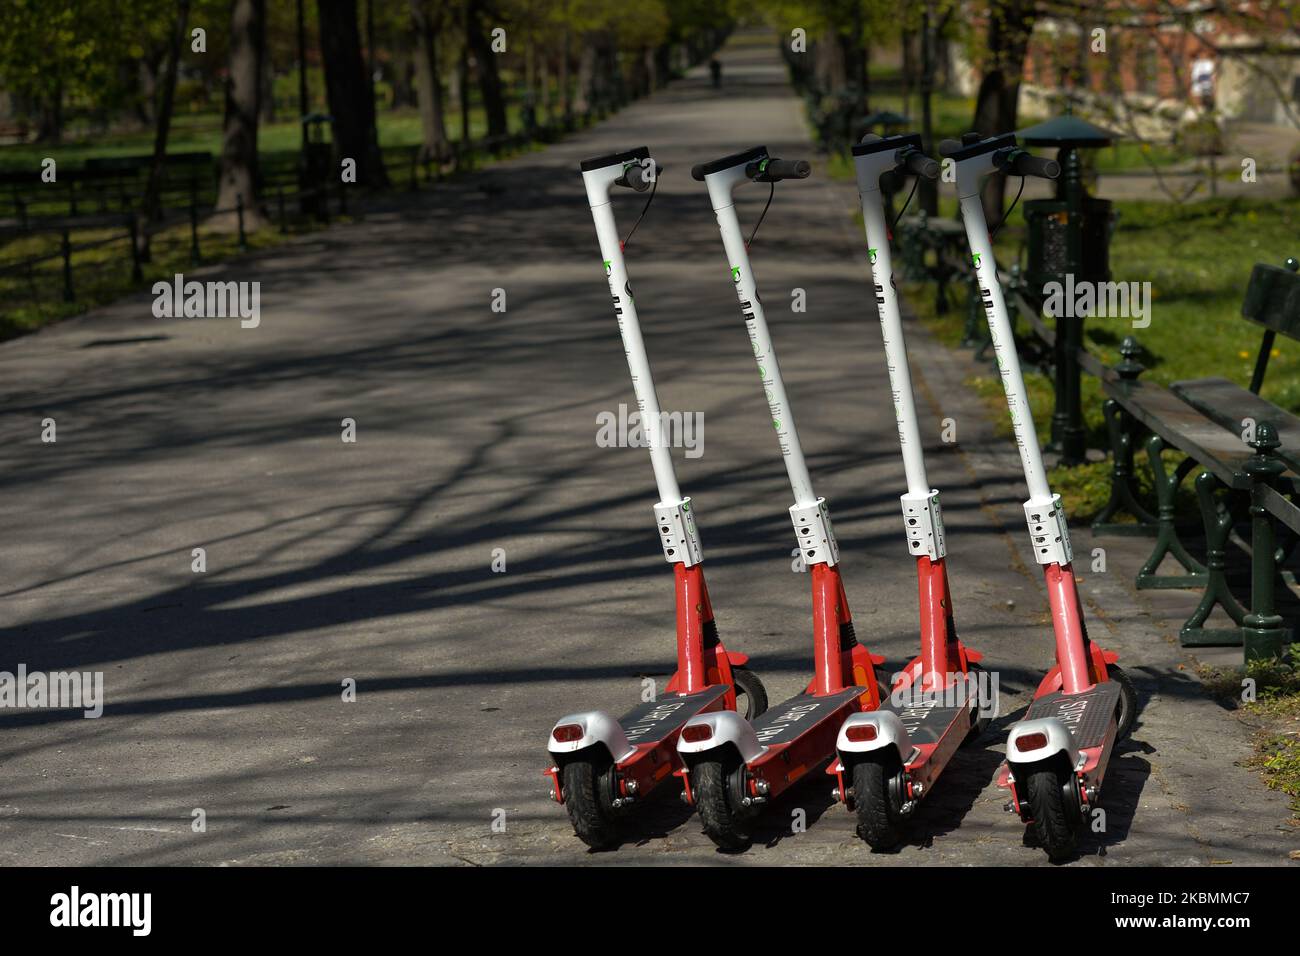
(812, 521)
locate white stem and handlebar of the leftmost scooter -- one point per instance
(674, 513)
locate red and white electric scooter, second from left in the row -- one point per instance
(734, 765)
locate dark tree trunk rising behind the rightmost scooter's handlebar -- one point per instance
(1009, 28)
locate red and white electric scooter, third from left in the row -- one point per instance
(891, 758)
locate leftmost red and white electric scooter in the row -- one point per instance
(605, 767)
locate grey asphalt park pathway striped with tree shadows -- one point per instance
(330, 563)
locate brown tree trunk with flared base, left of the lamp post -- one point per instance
(239, 180)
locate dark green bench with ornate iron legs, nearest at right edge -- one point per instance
(1211, 422)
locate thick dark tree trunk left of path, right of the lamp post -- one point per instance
(350, 92)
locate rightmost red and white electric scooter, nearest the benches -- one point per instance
(1056, 758)
